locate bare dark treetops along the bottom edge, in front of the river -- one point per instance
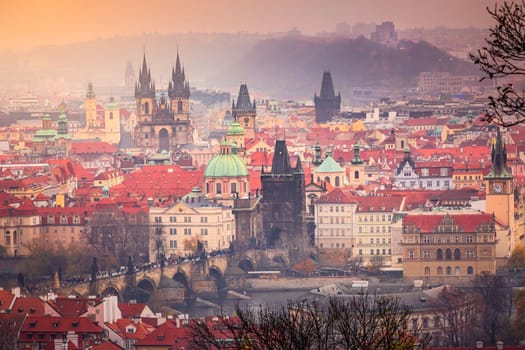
(357, 322)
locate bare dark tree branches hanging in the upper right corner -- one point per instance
(503, 57)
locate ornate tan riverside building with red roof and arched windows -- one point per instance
(448, 247)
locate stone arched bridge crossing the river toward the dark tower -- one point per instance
(208, 275)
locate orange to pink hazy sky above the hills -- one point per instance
(28, 23)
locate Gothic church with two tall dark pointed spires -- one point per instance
(162, 124)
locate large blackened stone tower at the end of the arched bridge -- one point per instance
(283, 203)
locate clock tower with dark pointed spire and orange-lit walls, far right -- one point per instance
(499, 191)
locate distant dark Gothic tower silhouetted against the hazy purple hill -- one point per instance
(327, 104)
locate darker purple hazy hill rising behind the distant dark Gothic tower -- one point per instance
(293, 66)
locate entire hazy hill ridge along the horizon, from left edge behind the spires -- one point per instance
(284, 66)
